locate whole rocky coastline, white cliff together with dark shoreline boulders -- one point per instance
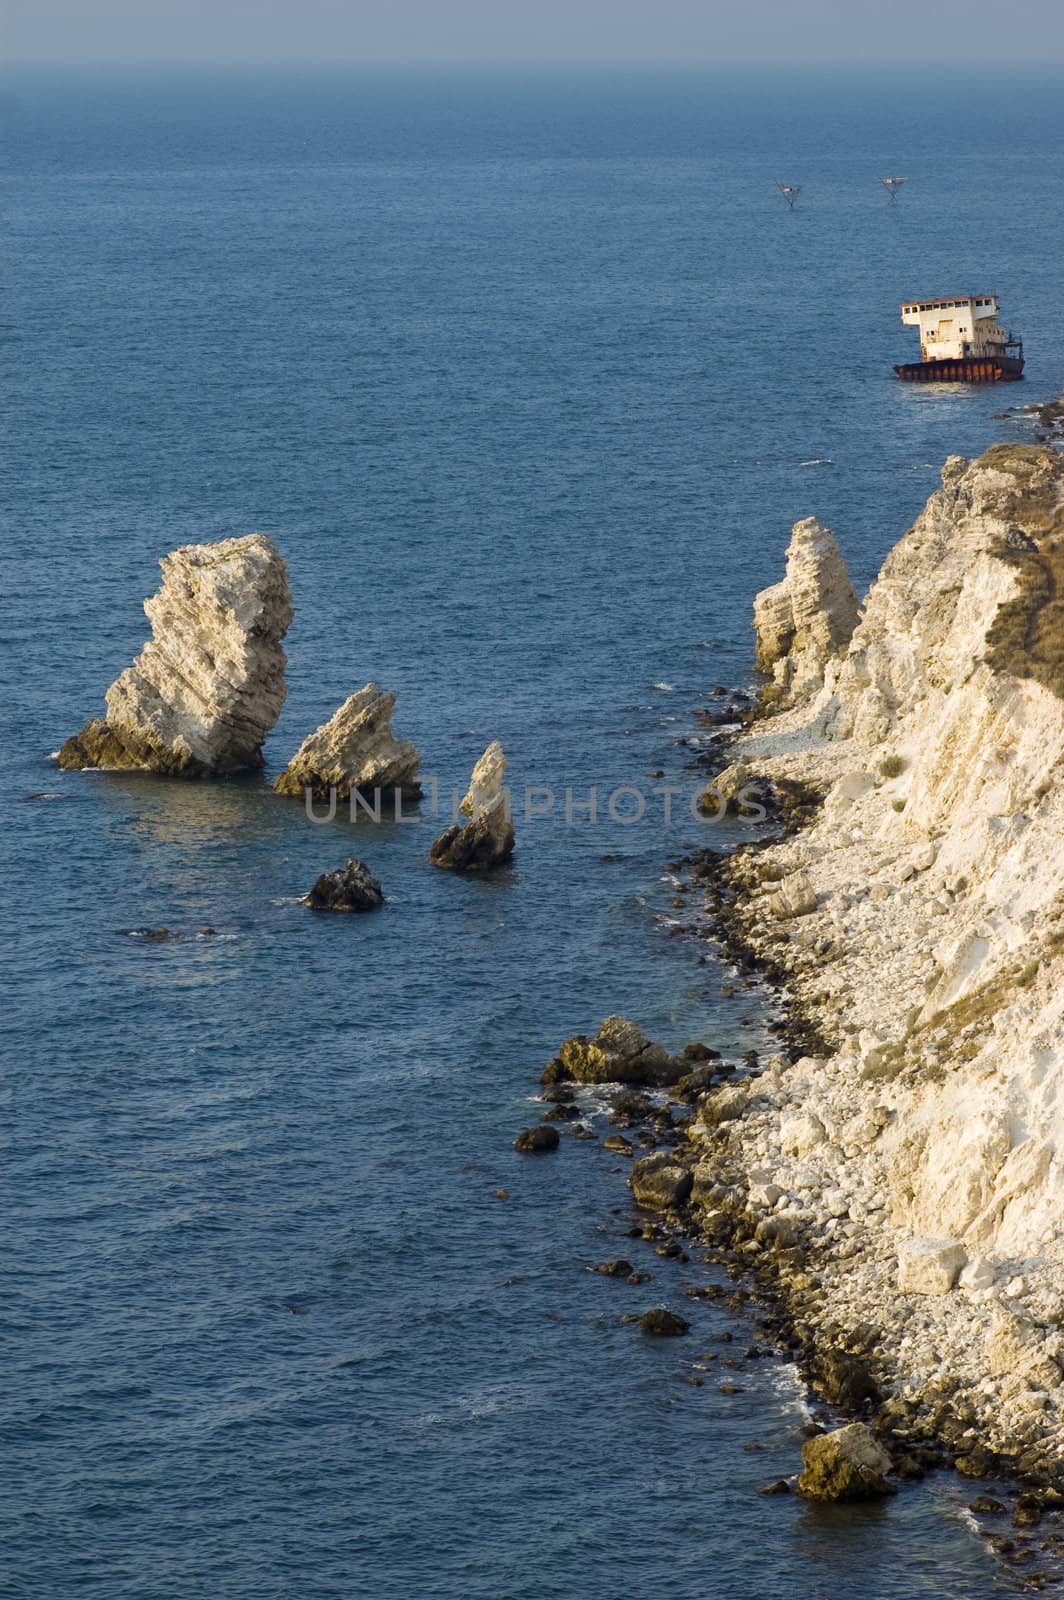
(887, 1186)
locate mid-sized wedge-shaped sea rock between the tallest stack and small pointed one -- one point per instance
(354, 751)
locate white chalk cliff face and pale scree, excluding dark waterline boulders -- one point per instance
(927, 1146)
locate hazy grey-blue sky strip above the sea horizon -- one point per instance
(919, 31)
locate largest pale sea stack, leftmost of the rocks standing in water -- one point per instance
(210, 682)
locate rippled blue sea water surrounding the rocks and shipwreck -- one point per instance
(529, 375)
